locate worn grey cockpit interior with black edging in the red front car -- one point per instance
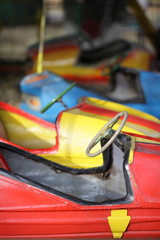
(109, 186)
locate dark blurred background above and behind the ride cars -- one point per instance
(99, 21)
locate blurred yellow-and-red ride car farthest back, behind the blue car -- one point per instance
(88, 63)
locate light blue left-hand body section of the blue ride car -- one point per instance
(49, 88)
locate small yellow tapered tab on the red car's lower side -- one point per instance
(118, 222)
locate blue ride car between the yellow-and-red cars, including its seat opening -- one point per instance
(133, 88)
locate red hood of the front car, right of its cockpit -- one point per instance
(146, 170)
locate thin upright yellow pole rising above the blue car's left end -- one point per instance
(41, 39)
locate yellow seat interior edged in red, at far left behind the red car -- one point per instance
(25, 132)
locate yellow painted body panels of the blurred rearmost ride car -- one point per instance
(64, 62)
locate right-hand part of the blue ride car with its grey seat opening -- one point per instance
(136, 89)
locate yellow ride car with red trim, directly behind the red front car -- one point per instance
(72, 131)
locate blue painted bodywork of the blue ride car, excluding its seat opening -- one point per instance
(52, 85)
